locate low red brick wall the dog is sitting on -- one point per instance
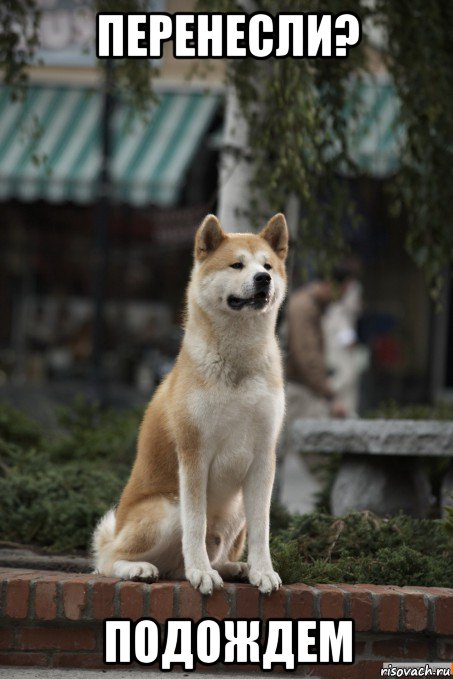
(55, 619)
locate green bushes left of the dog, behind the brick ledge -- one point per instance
(53, 490)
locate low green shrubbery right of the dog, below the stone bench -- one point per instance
(363, 548)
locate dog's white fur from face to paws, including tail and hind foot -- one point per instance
(238, 412)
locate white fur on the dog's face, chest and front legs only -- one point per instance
(239, 415)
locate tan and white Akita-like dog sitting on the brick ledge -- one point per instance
(205, 463)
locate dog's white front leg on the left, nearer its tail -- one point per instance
(193, 491)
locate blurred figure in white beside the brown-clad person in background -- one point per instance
(346, 359)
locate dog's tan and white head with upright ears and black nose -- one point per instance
(240, 273)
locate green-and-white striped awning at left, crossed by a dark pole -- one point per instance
(50, 145)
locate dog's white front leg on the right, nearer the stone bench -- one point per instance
(257, 500)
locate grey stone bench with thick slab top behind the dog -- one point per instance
(381, 469)
